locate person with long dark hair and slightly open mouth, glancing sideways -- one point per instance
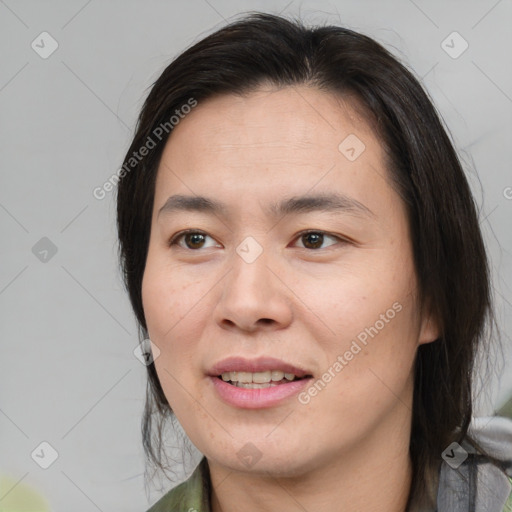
(303, 255)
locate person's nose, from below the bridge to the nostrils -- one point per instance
(253, 298)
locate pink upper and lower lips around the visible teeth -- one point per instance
(256, 398)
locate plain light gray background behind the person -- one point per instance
(68, 373)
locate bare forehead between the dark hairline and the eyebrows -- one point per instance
(272, 142)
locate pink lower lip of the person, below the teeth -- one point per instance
(257, 398)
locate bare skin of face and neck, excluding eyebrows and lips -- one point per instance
(347, 448)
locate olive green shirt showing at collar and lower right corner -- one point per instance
(193, 495)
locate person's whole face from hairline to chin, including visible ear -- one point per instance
(279, 250)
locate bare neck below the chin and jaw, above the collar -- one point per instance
(373, 476)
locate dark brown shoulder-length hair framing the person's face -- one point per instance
(449, 254)
